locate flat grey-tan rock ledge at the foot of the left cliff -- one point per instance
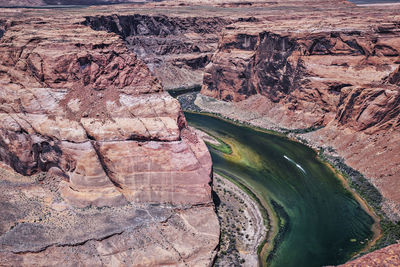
(38, 228)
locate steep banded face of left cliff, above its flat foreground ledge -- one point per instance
(94, 111)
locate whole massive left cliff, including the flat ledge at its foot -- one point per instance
(110, 173)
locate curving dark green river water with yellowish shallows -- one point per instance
(320, 221)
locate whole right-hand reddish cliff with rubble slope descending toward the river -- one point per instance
(342, 79)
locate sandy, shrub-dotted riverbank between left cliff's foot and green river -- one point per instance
(242, 225)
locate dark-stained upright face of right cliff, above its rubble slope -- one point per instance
(297, 68)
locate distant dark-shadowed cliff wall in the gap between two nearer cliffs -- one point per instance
(175, 48)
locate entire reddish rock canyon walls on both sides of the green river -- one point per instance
(89, 136)
